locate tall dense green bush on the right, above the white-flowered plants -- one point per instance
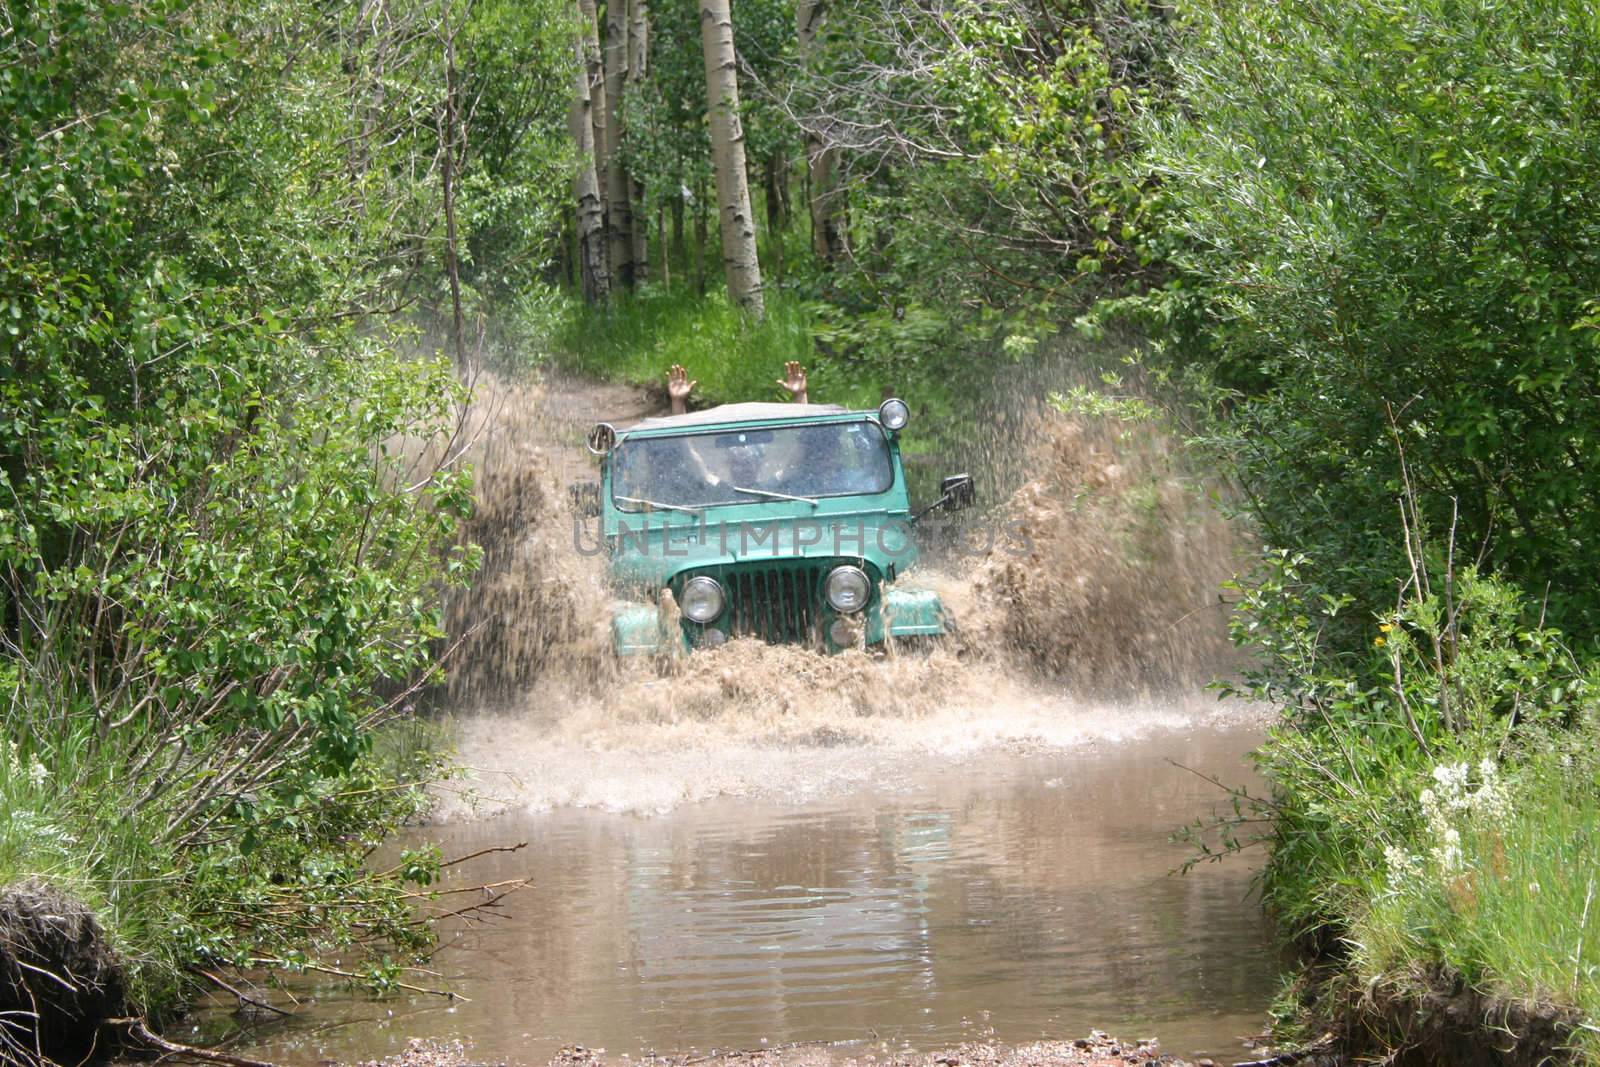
(1385, 220)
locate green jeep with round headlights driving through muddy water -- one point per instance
(785, 522)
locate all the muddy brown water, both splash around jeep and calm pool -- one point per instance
(766, 845)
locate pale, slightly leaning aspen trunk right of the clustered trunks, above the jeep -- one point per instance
(727, 148)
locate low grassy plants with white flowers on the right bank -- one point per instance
(1430, 786)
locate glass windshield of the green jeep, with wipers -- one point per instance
(751, 466)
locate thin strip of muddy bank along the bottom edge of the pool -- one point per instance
(1098, 1050)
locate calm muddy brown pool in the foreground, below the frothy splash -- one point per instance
(1018, 892)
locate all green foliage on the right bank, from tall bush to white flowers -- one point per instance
(1383, 236)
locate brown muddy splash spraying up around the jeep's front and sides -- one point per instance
(1105, 588)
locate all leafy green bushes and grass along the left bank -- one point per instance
(220, 554)
